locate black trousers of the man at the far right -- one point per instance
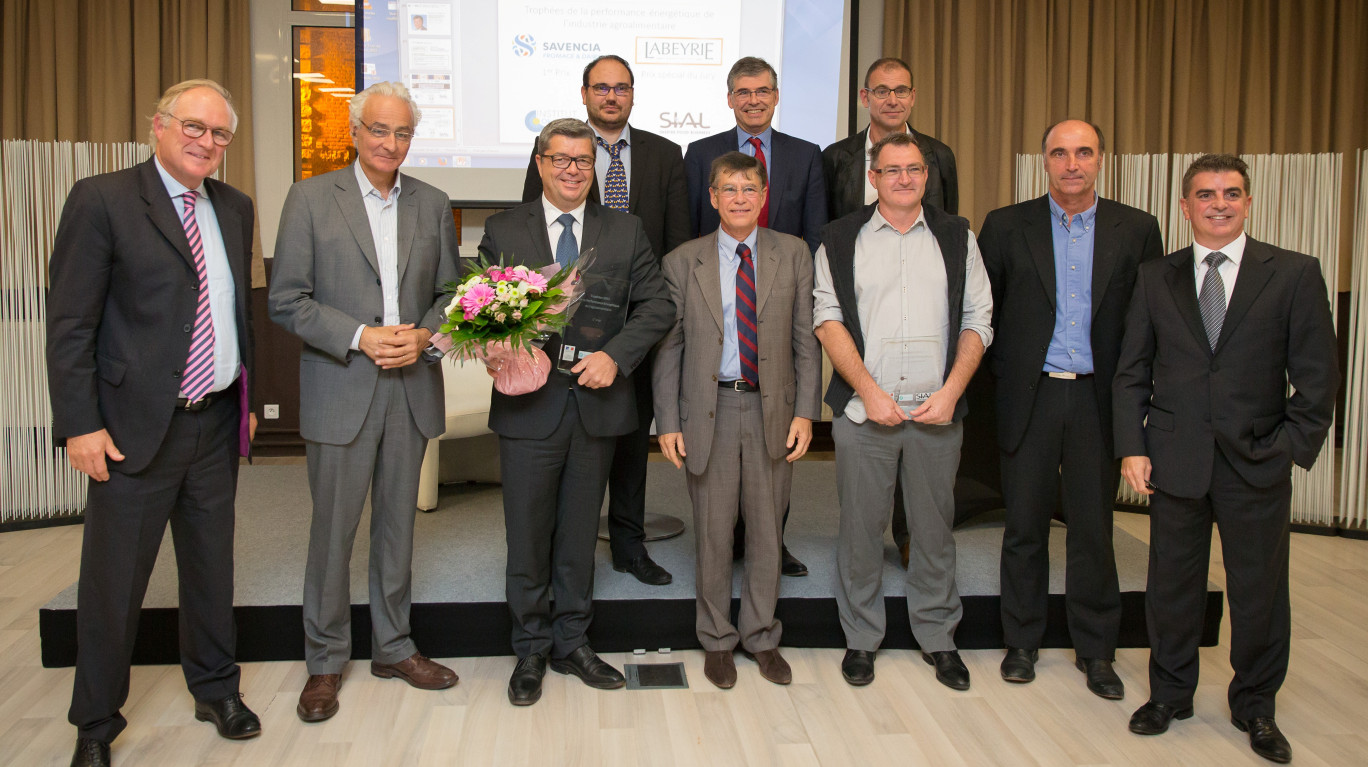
(1257, 580)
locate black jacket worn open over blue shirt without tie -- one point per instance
(1020, 256)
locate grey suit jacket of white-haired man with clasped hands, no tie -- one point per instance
(326, 282)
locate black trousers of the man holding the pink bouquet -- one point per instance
(553, 490)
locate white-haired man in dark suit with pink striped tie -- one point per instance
(150, 344)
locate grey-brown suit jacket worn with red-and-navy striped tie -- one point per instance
(685, 377)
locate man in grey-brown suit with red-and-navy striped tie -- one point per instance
(750, 289)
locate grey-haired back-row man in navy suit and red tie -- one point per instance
(795, 200)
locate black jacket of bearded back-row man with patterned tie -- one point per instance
(657, 192)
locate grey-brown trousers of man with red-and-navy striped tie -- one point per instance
(739, 468)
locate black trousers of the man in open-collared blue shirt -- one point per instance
(1064, 456)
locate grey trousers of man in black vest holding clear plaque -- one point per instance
(869, 459)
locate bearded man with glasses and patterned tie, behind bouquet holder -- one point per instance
(644, 176)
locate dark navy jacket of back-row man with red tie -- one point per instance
(798, 196)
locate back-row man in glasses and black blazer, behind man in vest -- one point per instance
(890, 96)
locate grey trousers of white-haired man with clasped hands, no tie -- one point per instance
(385, 459)
